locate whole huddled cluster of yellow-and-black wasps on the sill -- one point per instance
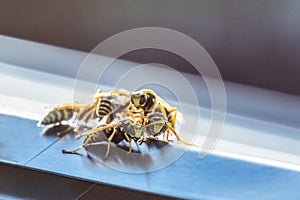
(141, 116)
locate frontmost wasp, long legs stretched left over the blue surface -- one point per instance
(125, 129)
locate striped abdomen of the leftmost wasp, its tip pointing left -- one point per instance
(55, 116)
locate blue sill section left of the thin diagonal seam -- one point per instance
(20, 139)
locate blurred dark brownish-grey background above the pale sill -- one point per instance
(252, 42)
